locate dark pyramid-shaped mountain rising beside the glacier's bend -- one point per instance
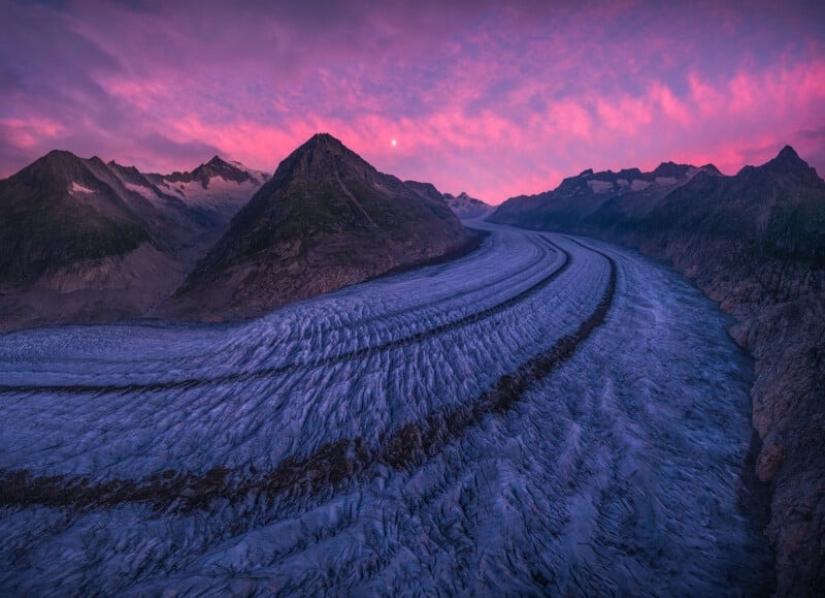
(325, 220)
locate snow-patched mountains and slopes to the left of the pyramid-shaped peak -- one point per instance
(85, 241)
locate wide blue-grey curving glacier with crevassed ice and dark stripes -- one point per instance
(546, 416)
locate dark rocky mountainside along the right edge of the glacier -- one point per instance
(755, 242)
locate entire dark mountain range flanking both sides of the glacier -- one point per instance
(87, 241)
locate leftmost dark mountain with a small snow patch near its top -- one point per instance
(77, 247)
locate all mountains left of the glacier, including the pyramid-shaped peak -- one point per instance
(86, 241)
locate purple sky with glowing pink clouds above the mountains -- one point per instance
(493, 98)
